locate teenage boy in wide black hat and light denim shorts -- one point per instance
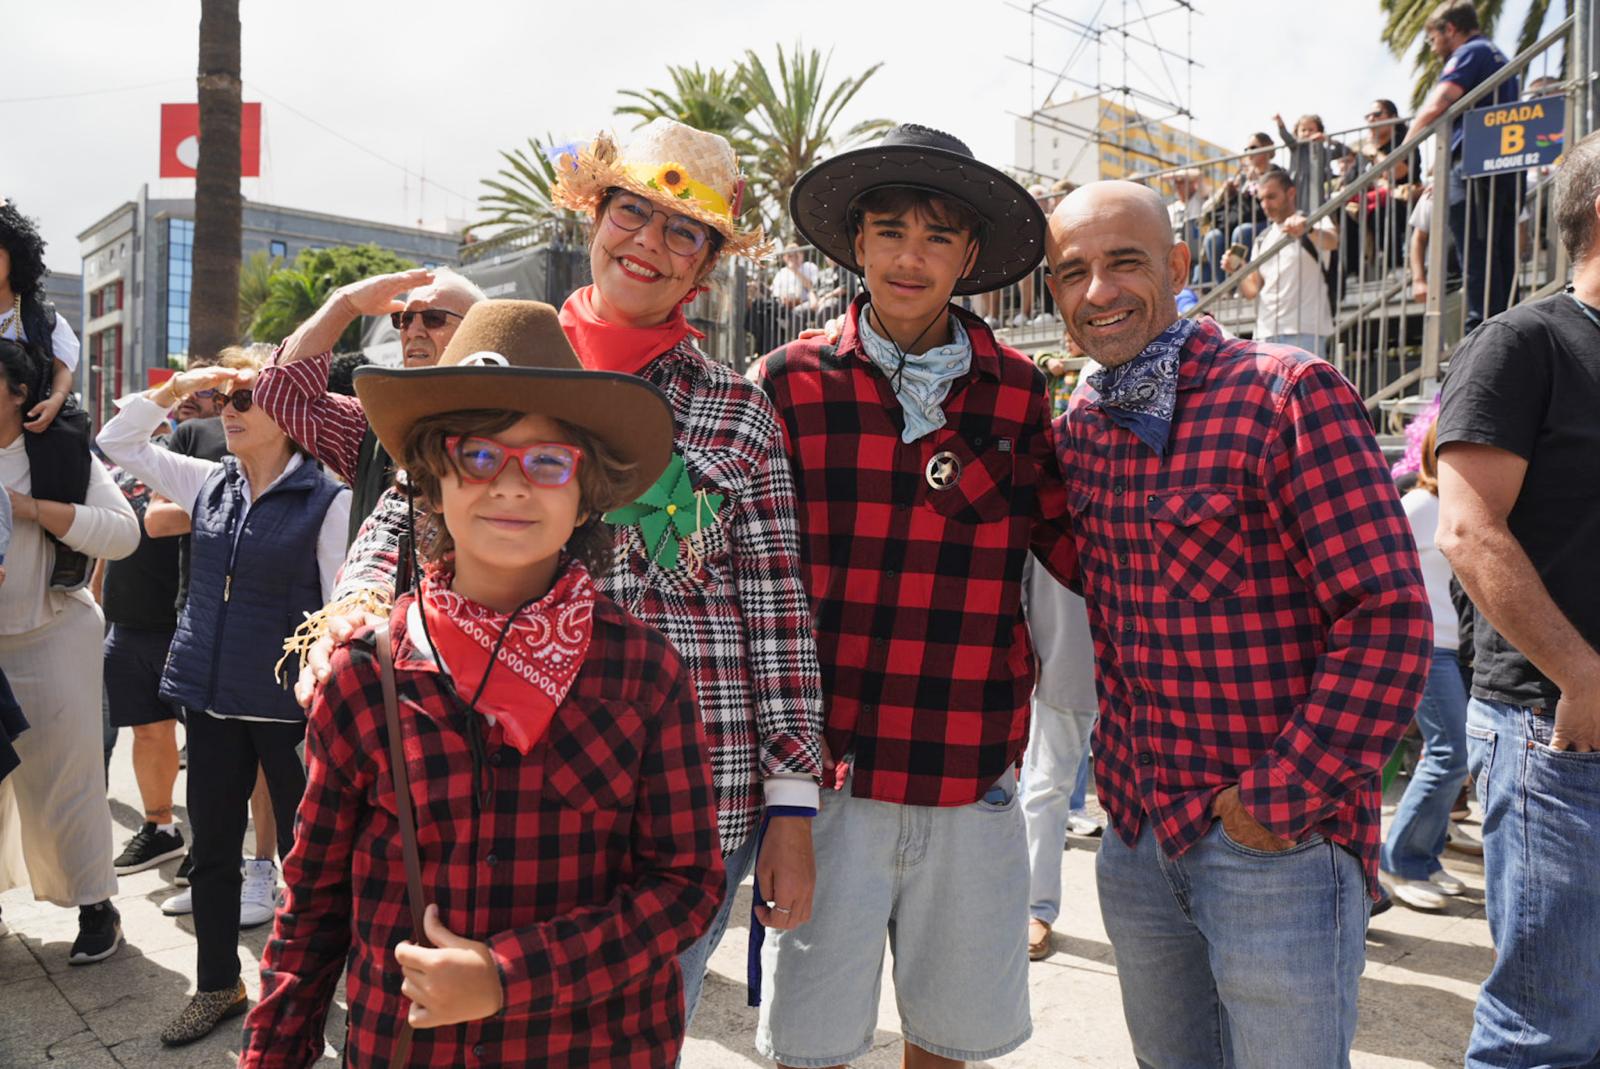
(924, 468)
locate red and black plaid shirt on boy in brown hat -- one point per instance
(591, 867)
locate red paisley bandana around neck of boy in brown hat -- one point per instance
(538, 660)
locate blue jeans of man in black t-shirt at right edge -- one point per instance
(1542, 870)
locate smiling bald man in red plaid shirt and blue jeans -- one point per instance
(1262, 641)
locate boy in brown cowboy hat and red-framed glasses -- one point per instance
(554, 763)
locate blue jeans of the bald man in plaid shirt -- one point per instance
(1231, 956)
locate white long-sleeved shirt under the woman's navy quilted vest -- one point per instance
(127, 441)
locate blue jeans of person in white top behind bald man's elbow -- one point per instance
(1423, 817)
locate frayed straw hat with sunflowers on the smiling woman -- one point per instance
(684, 170)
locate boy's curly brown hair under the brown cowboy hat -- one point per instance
(601, 481)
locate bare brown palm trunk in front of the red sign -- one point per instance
(214, 302)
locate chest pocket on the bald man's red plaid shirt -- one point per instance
(1199, 543)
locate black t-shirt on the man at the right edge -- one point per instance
(1529, 383)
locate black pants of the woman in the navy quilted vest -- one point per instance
(223, 758)
